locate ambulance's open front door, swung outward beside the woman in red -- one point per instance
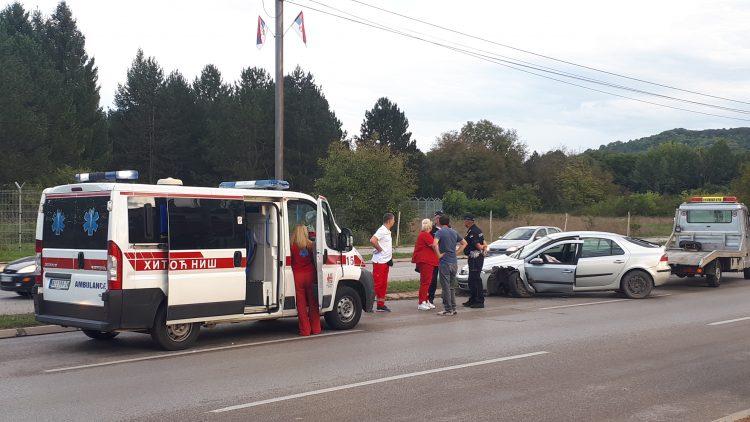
(328, 258)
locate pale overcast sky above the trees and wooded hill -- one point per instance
(698, 45)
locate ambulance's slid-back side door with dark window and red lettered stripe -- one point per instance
(207, 258)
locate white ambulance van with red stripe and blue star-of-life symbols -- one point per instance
(168, 259)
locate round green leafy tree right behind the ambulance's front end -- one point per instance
(363, 184)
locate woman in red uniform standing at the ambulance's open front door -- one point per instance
(303, 267)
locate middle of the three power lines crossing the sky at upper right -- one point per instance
(557, 72)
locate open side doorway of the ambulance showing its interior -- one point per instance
(262, 254)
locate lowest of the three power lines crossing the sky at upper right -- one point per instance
(511, 66)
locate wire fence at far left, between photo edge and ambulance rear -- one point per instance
(18, 212)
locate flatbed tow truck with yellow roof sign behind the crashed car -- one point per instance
(710, 237)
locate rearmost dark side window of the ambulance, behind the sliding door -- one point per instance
(147, 220)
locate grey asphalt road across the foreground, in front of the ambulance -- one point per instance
(588, 357)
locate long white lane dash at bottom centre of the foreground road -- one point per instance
(375, 381)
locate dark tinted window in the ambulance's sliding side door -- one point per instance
(197, 223)
